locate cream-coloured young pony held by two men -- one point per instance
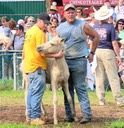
(57, 72)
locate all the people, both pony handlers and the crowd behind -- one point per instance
(90, 42)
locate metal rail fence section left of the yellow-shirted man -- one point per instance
(10, 74)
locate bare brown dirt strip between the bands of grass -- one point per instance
(101, 114)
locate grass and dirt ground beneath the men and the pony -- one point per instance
(110, 116)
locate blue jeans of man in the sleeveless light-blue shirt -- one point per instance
(78, 70)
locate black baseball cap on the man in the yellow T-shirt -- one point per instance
(44, 17)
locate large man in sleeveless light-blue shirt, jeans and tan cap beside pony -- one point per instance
(74, 31)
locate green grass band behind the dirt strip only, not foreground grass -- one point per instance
(12, 95)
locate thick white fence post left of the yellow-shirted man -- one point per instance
(14, 67)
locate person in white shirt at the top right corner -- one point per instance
(119, 10)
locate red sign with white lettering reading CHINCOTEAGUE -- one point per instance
(88, 2)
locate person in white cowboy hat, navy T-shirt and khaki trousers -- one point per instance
(106, 54)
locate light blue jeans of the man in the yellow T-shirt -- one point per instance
(37, 82)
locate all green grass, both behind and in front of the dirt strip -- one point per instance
(16, 98)
